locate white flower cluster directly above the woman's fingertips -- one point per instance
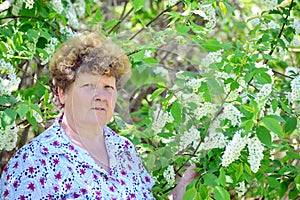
(190, 136)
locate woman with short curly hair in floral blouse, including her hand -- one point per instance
(79, 156)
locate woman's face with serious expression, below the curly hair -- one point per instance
(90, 101)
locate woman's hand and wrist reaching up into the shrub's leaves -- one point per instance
(188, 176)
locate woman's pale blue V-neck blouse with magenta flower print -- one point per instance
(52, 167)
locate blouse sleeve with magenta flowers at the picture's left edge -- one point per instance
(24, 177)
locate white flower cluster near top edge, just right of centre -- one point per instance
(208, 13)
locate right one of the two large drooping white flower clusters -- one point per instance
(256, 149)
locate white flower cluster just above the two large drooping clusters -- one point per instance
(231, 113)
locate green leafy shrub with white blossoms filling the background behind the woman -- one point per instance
(214, 84)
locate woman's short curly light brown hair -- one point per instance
(87, 52)
